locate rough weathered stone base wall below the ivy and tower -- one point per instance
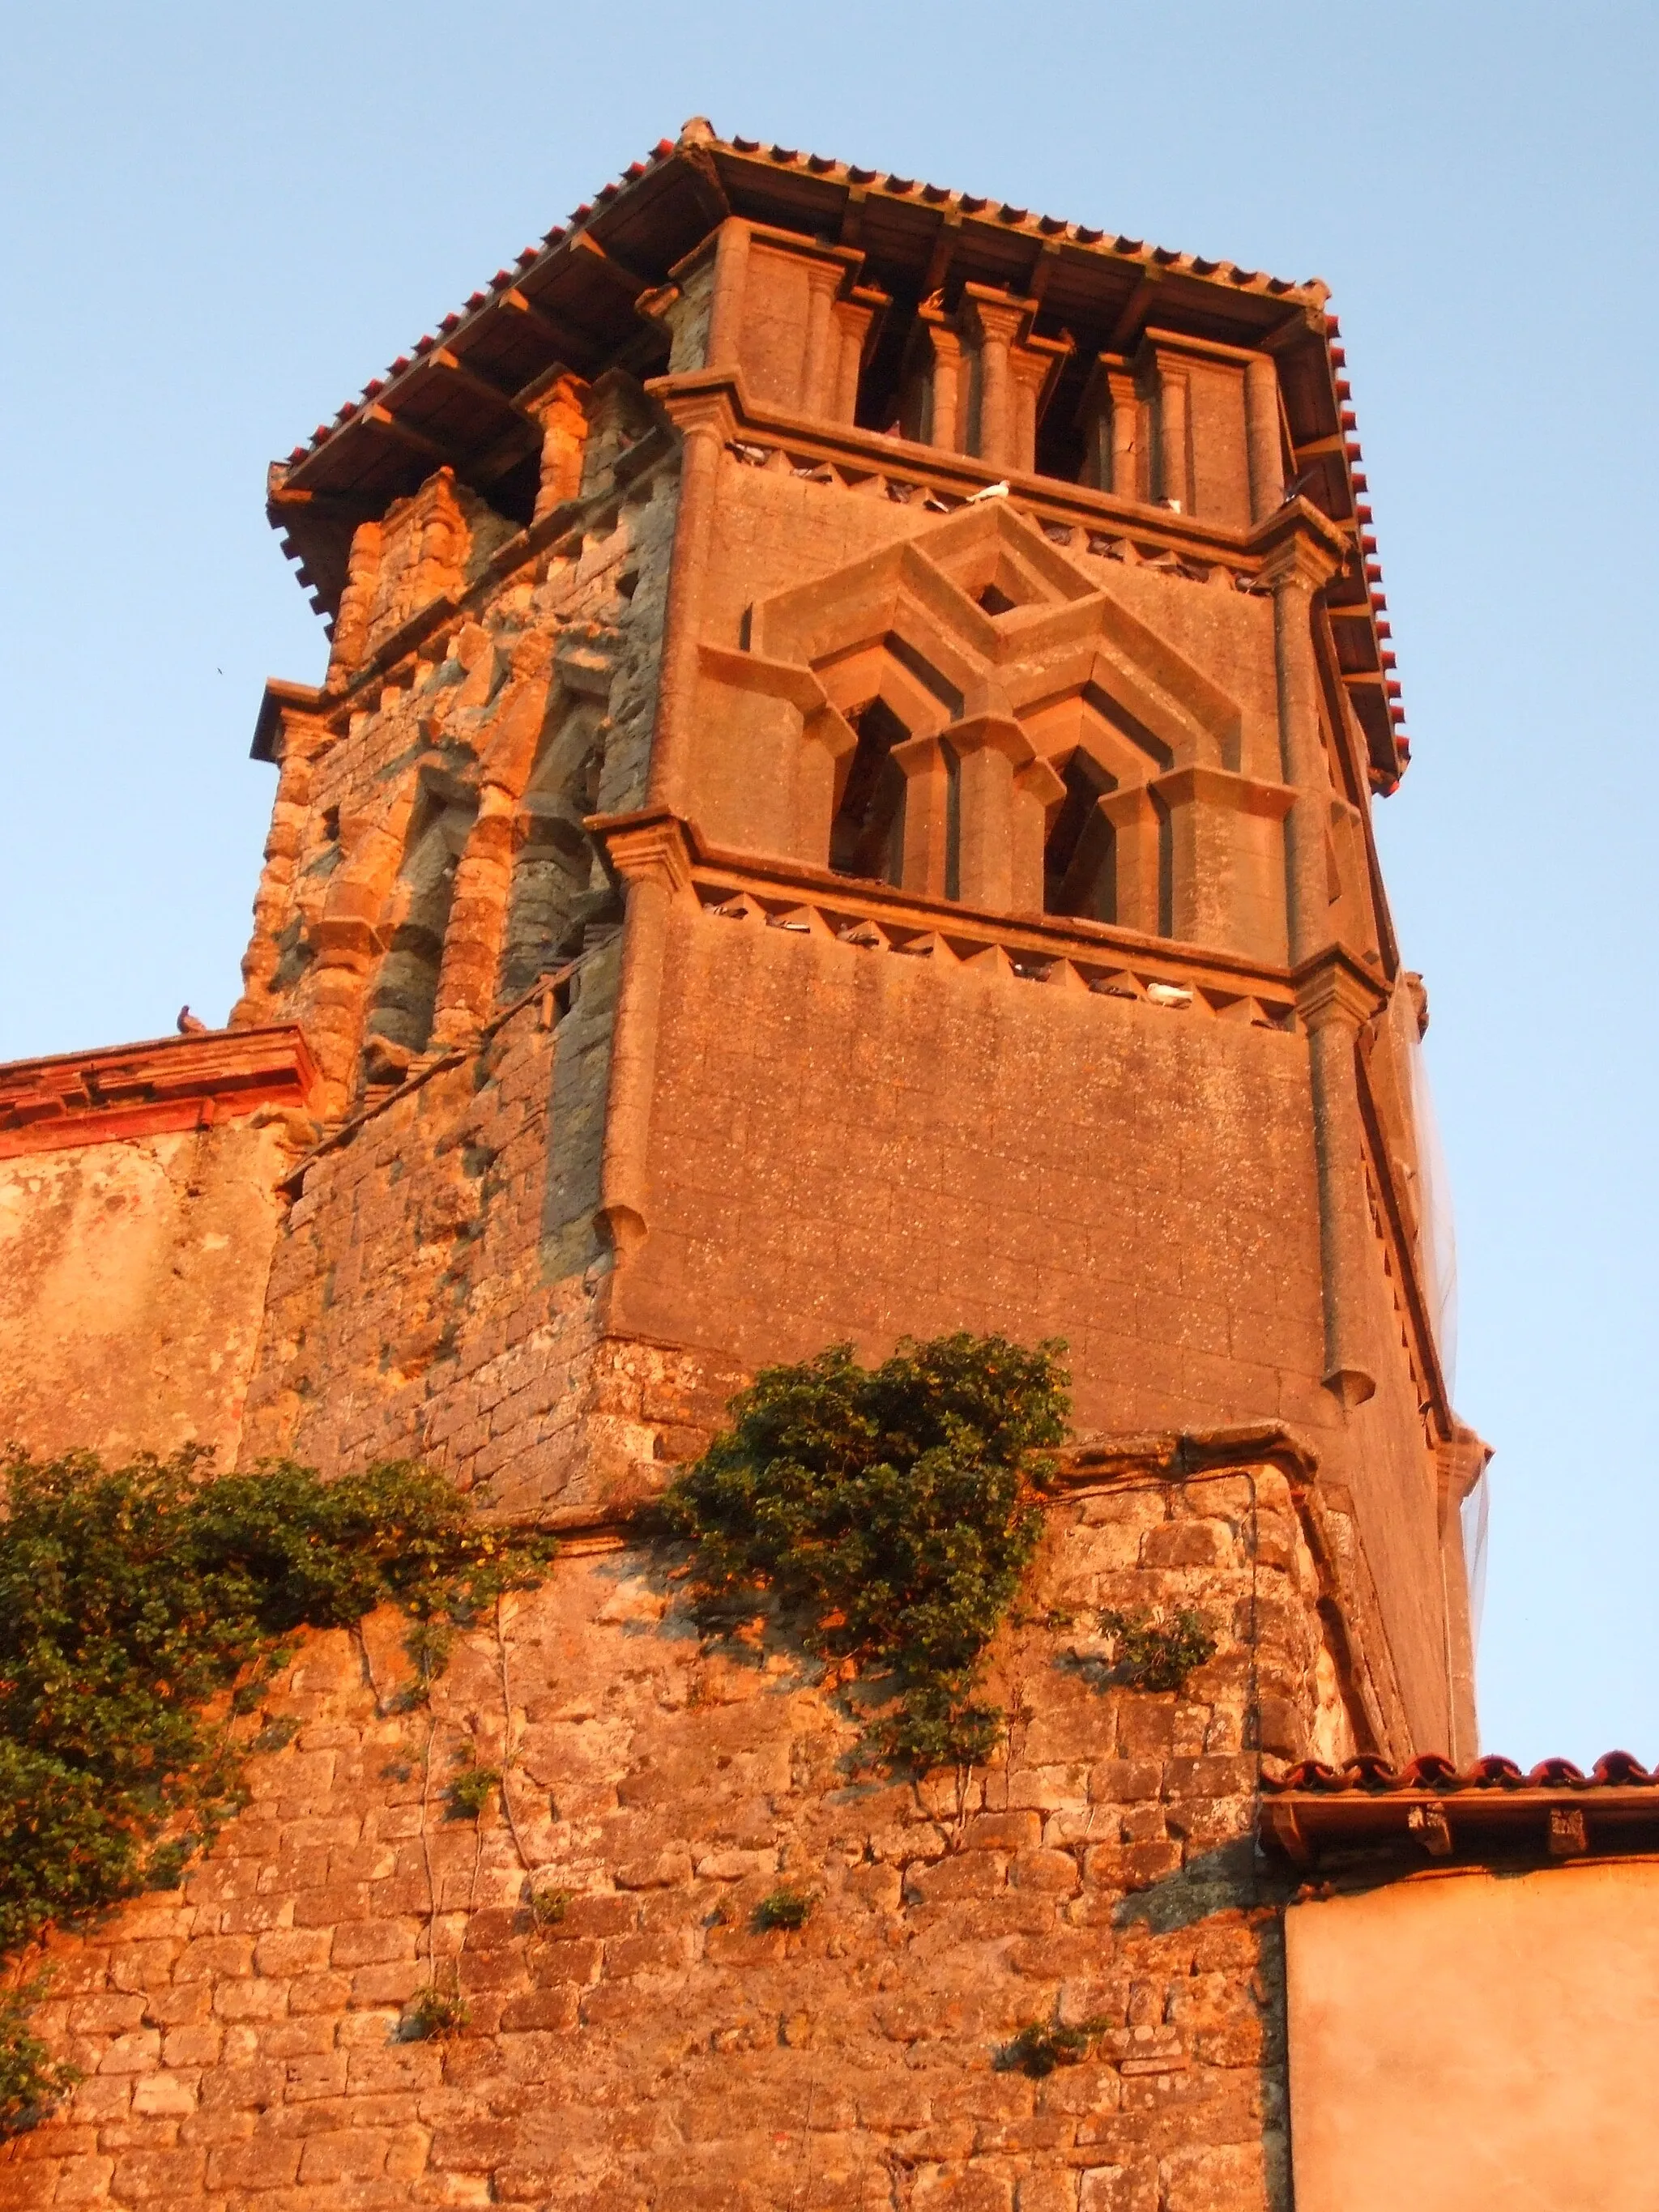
(242, 2036)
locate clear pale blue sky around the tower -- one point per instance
(222, 220)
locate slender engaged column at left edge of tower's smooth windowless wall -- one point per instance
(647, 855)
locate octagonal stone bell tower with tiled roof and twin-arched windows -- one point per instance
(842, 808)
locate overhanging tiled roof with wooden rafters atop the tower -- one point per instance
(570, 302)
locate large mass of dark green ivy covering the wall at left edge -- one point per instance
(143, 1616)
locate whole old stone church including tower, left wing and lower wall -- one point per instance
(839, 808)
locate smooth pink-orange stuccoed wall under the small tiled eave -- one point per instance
(1472, 2041)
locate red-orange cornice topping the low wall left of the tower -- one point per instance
(145, 1089)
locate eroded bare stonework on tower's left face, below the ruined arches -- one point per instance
(444, 1293)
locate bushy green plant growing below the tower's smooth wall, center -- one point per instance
(890, 1512)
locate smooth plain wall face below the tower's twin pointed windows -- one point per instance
(859, 1145)
